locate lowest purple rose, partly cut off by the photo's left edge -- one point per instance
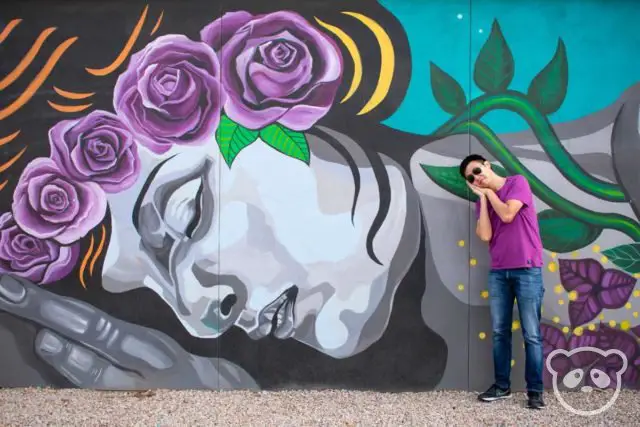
(41, 261)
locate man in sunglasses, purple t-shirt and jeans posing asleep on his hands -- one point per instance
(507, 220)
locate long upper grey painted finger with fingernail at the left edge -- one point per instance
(124, 344)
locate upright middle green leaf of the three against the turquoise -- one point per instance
(494, 67)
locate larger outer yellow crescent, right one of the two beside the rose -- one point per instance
(387, 61)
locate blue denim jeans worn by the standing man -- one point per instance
(525, 285)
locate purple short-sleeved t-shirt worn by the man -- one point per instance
(516, 244)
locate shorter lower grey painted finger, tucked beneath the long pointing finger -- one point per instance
(83, 367)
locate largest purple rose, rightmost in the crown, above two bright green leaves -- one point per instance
(275, 68)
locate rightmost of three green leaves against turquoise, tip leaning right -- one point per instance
(548, 88)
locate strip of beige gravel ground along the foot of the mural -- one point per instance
(70, 407)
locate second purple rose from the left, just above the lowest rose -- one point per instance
(49, 205)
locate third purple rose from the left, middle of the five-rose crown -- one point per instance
(99, 148)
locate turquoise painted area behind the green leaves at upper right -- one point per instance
(603, 49)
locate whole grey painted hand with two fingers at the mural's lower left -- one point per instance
(94, 350)
